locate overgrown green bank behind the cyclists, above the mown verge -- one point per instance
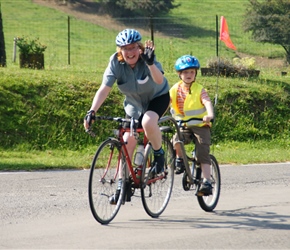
(46, 111)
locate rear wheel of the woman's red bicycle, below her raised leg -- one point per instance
(156, 192)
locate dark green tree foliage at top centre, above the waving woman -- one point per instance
(132, 8)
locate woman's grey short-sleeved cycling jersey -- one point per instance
(135, 83)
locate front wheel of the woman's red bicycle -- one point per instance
(103, 180)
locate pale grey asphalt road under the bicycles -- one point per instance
(50, 210)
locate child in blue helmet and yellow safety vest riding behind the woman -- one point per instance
(190, 100)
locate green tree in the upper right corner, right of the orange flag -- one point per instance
(269, 22)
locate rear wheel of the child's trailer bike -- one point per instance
(208, 203)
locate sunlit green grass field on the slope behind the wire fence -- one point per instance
(189, 29)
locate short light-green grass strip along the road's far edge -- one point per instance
(226, 153)
